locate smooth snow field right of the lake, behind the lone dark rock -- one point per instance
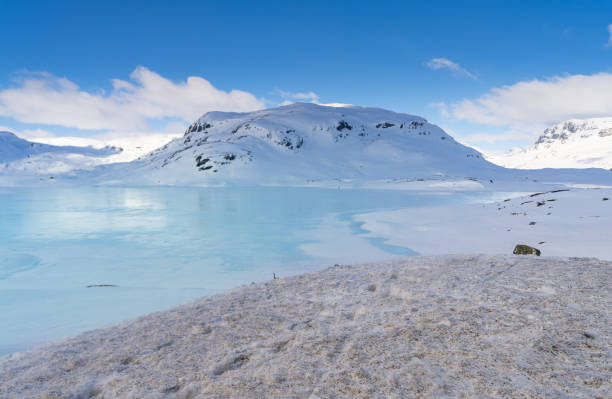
(561, 222)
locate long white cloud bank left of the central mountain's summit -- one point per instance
(50, 100)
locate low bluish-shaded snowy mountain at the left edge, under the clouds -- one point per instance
(19, 156)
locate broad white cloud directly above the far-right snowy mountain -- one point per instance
(535, 104)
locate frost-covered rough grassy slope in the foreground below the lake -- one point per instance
(444, 327)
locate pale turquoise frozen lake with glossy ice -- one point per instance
(159, 247)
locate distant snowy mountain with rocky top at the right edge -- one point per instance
(577, 143)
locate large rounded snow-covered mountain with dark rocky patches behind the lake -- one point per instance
(302, 143)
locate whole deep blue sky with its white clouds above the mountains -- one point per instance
(493, 73)
